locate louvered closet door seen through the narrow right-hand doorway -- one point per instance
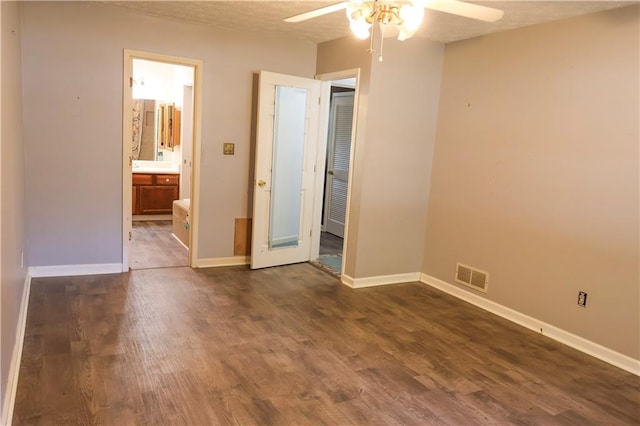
(338, 162)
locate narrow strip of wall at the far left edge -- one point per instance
(12, 212)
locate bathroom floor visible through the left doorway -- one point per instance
(153, 246)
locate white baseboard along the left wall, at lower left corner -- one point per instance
(16, 356)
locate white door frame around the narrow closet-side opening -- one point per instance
(321, 156)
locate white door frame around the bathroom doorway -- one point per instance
(197, 64)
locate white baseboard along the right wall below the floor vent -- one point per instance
(591, 348)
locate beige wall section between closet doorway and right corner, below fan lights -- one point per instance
(392, 159)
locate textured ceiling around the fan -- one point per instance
(267, 16)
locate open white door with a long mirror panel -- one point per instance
(286, 142)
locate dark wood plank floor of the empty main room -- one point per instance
(290, 345)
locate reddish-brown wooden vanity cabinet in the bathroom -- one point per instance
(154, 193)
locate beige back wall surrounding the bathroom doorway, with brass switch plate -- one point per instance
(72, 58)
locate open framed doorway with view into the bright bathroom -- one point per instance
(161, 111)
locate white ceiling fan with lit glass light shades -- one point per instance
(406, 15)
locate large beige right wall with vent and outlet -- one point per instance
(535, 174)
